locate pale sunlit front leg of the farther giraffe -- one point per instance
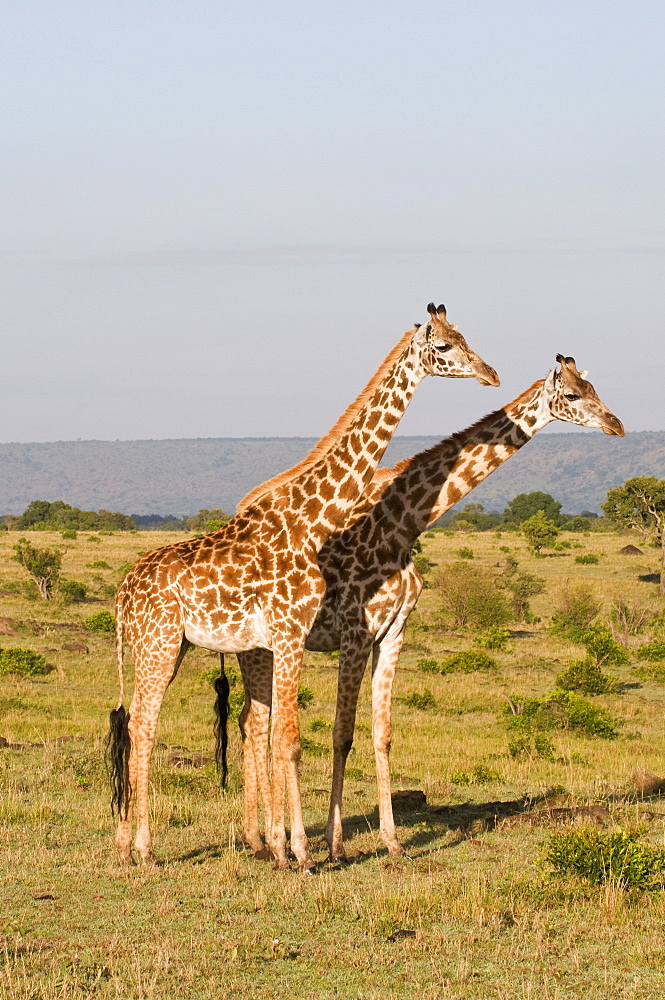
(384, 664)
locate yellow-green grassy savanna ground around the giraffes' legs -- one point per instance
(472, 913)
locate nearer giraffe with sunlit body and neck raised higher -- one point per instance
(256, 582)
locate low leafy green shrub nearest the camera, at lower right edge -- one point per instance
(600, 857)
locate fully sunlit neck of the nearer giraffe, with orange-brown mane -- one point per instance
(325, 494)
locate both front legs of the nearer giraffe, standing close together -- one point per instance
(286, 755)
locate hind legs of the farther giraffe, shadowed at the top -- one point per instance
(256, 669)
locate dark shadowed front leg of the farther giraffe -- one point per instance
(355, 646)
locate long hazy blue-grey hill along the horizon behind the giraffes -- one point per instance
(181, 476)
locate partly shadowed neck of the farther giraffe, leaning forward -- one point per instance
(424, 487)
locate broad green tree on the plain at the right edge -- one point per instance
(640, 504)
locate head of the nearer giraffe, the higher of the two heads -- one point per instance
(444, 351)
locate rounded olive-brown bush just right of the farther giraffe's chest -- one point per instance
(470, 595)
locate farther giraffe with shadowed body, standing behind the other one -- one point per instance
(372, 584)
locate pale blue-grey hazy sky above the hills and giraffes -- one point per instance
(217, 218)
